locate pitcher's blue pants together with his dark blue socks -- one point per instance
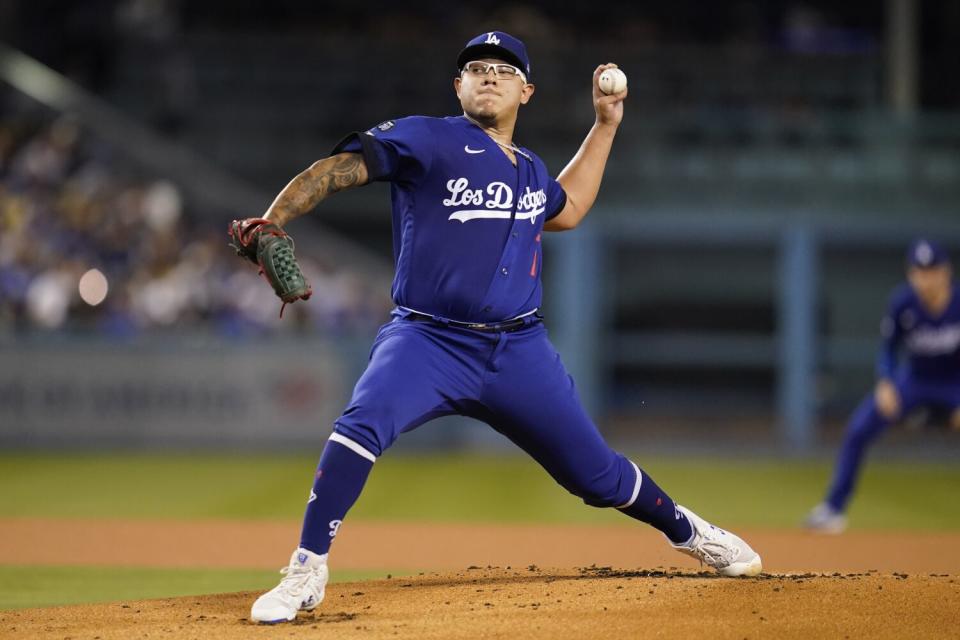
(513, 381)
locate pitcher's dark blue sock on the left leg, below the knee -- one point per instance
(339, 480)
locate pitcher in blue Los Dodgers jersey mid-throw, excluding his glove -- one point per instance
(469, 207)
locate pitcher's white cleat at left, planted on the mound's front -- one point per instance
(301, 588)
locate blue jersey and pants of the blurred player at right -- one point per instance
(928, 376)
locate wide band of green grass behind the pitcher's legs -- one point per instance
(771, 493)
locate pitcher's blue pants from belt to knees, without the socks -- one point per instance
(514, 382)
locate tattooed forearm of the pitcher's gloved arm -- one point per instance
(310, 187)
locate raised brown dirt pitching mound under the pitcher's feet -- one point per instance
(594, 602)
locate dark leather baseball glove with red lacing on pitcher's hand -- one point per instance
(270, 248)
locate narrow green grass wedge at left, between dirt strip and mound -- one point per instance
(25, 587)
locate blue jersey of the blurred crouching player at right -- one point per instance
(931, 343)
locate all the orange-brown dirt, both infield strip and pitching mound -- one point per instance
(817, 587)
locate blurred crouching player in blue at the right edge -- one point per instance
(923, 319)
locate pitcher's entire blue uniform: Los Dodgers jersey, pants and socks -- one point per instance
(467, 227)
